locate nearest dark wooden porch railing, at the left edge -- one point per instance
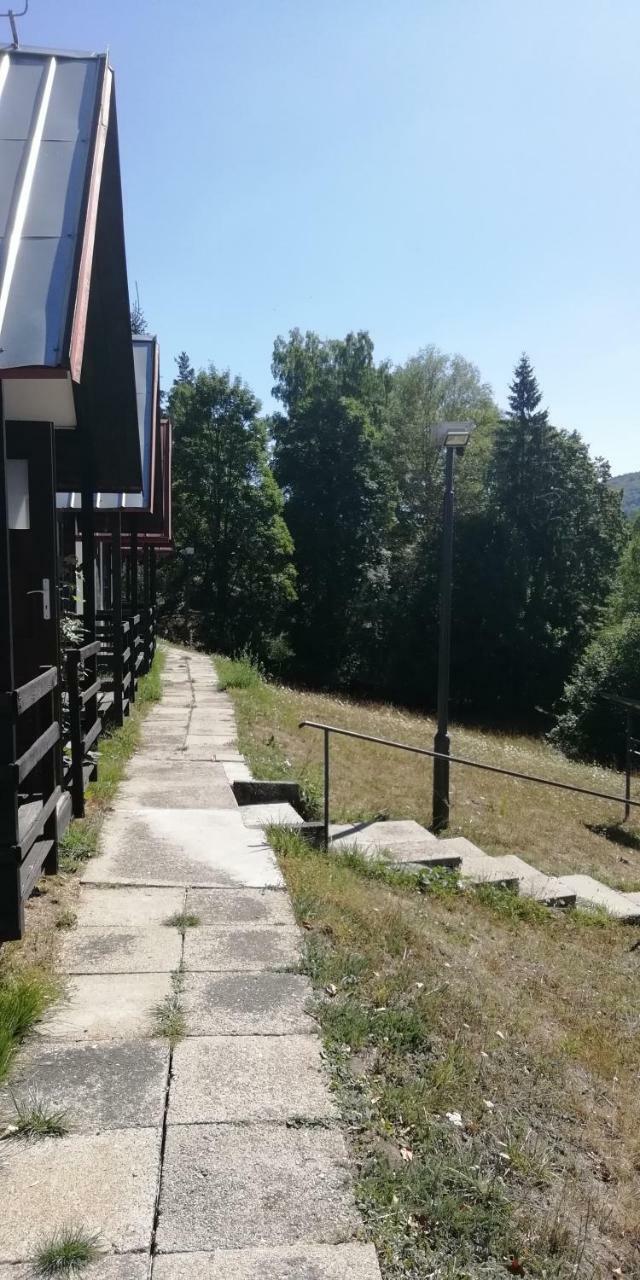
(30, 790)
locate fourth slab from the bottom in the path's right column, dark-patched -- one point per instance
(246, 1004)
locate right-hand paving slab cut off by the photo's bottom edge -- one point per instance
(285, 1263)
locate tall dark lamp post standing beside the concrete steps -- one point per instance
(454, 437)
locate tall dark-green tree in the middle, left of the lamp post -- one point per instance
(330, 460)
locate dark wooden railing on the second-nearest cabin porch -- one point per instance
(84, 688)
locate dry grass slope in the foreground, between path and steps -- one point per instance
(525, 1025)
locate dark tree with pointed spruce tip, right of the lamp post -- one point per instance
(555, 536)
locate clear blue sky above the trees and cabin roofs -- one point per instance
(452, 172)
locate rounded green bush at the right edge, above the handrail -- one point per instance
(591, 728)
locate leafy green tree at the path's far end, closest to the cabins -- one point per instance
(240, 580)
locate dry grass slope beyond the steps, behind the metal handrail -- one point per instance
(556, 831)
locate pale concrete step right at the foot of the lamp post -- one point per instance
(400, 842)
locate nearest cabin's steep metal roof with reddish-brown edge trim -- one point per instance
(65, 312)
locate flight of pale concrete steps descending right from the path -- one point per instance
(405, 843)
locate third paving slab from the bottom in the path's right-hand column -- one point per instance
(241, 1078)
